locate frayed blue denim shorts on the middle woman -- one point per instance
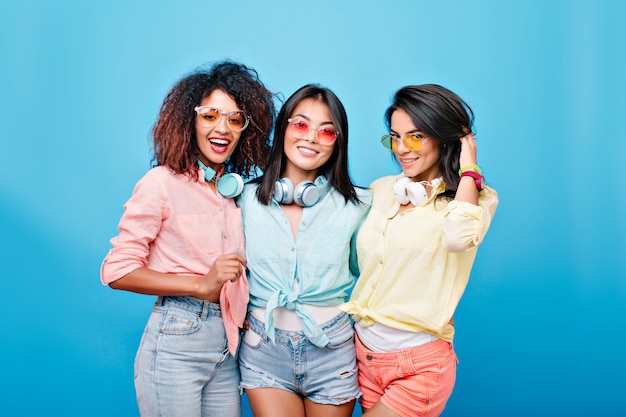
(325, 375)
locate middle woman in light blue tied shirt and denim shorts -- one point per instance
(297, 357)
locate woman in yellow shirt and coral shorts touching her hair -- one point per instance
(415, 253)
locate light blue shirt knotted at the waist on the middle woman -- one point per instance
(319, 259)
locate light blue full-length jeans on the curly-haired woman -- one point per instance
(183, 367)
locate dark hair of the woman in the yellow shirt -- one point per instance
(441, 115)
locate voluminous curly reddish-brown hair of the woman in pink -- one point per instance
(174, 133)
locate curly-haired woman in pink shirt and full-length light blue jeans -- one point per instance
(181, 239)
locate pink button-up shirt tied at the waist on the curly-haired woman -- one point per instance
(175, 225)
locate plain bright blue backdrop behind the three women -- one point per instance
(540, 330)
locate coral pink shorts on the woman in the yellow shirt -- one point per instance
(410, 382)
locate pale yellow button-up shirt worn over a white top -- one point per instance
(414, 266)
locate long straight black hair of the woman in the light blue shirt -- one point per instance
(335, 169)
